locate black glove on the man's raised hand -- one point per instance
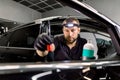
(42, 41)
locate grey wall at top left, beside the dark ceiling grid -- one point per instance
(16, 12)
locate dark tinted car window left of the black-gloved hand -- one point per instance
(24, 37)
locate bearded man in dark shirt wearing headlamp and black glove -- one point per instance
(68, 46)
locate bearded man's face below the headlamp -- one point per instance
(71, 33)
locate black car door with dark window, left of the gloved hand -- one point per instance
(18, 44)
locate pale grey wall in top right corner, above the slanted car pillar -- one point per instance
(110, 8)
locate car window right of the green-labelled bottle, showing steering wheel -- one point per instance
(105, 45)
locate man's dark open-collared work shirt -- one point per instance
(63, 52)
